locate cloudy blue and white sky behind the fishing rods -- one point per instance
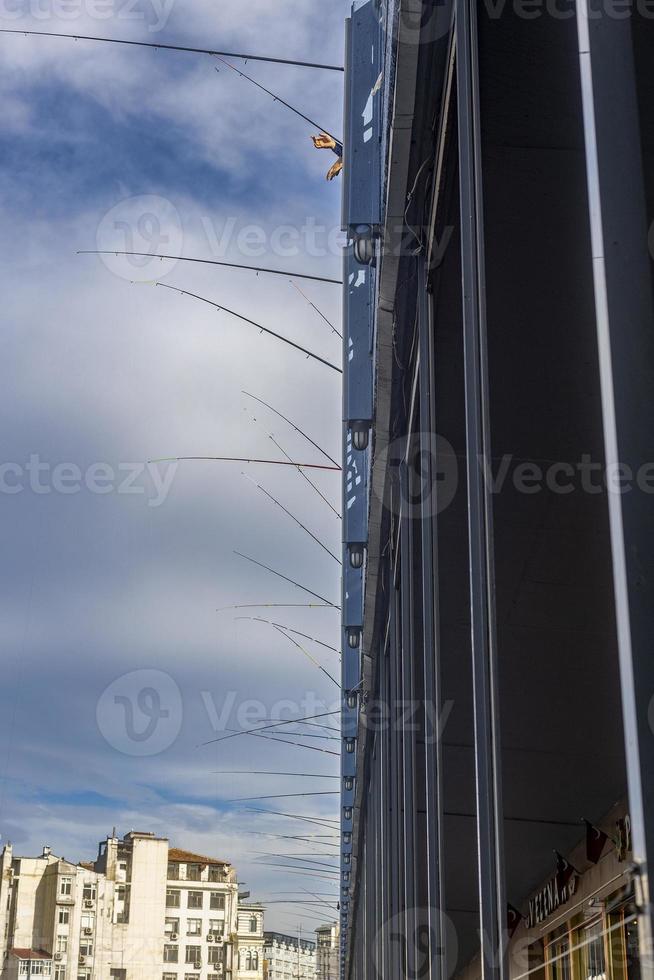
(119, 657)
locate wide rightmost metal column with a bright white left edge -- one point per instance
(625, 336)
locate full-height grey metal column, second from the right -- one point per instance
(482, 586)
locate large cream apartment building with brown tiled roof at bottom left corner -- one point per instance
(141, 911)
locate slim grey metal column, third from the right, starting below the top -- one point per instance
(431, 667)
